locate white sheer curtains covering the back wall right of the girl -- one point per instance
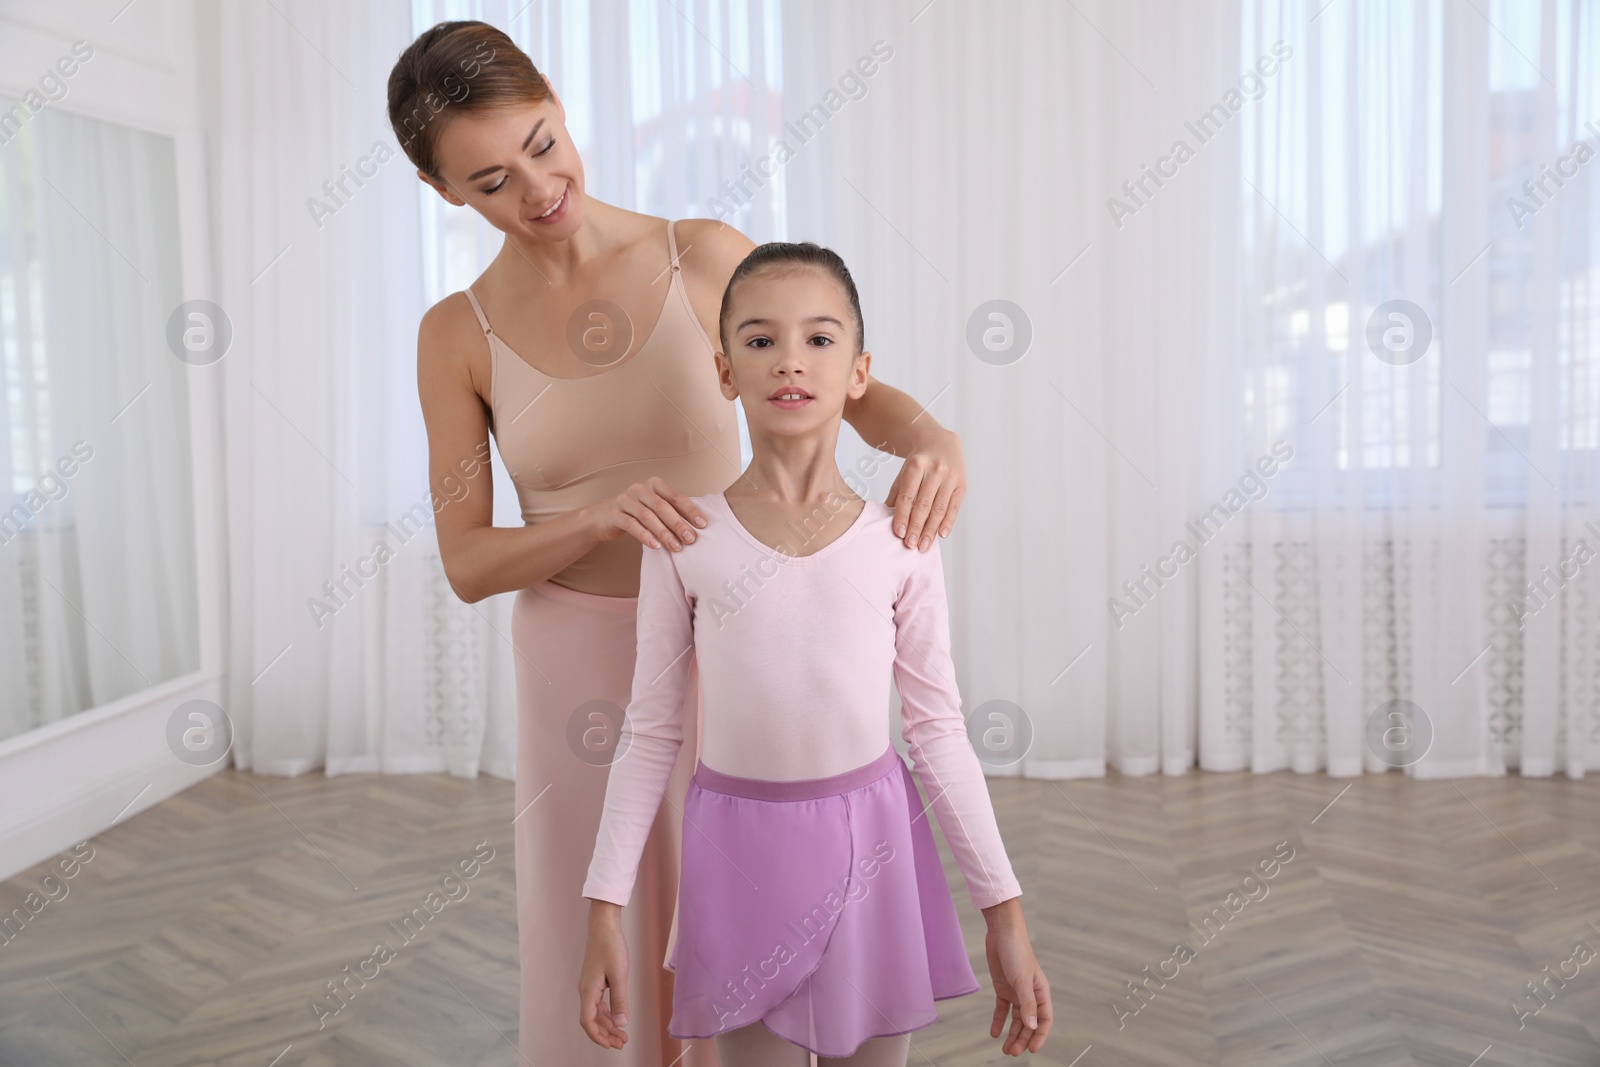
(1196, 310)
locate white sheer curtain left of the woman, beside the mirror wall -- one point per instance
(342, 653)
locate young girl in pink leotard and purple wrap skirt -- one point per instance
(814, 913)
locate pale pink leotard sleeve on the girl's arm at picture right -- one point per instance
(934, 727)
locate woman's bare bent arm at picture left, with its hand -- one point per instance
(479, 557)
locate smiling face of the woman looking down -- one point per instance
(513, 166)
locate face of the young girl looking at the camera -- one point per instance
(793, 354)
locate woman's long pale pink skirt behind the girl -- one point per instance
(575, 674)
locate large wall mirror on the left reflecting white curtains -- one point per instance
(98, 593)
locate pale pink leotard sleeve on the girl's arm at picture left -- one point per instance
(652, 730)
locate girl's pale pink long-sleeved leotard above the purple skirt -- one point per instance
(796, 653)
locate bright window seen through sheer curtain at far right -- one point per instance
(1375, 215)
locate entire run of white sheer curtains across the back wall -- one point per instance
(1185, 316)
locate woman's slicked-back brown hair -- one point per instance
(457, 68)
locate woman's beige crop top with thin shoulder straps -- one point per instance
(657, 410)
